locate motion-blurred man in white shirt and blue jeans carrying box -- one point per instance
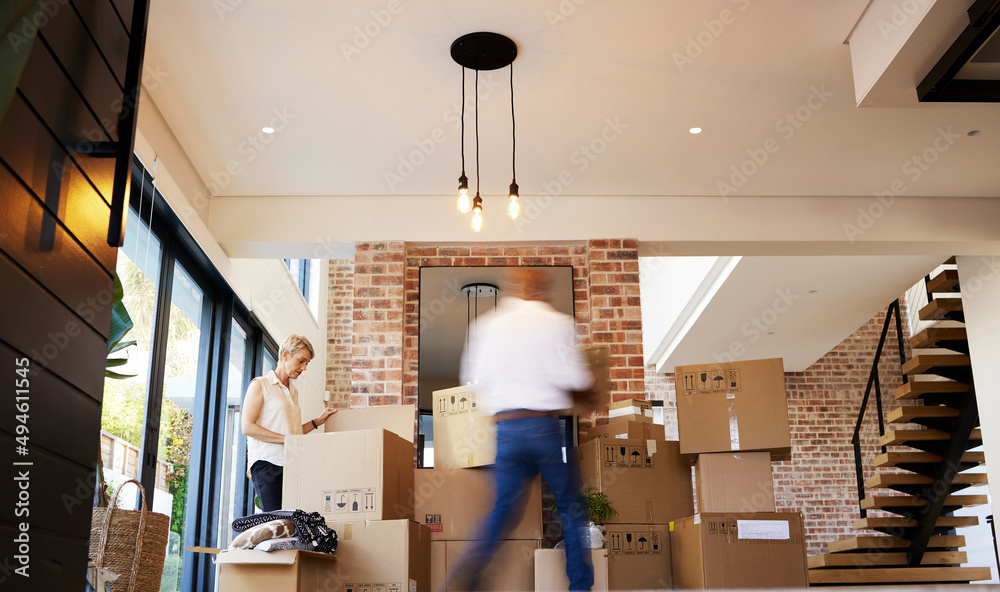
(523, 364)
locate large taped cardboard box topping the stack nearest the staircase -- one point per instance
(739, 406)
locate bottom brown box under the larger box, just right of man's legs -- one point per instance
(638, 556)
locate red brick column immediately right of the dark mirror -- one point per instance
(616, 317)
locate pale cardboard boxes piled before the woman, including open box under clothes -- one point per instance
(359, 476)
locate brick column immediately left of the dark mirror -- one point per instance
(377, 339)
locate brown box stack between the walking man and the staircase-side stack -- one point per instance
(648, 482)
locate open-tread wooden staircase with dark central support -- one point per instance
(922, 468)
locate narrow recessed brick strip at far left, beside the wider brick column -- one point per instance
(339, 331)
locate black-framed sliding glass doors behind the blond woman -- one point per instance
(171, 420)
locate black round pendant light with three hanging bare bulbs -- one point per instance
(484, 51)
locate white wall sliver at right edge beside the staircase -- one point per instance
(980, 281)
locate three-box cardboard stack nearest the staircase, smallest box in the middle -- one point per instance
(734, 417)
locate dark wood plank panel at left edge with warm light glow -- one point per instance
(56, 273)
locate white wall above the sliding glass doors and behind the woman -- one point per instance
(263, 285)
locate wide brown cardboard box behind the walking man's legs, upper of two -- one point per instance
(452, 503)
